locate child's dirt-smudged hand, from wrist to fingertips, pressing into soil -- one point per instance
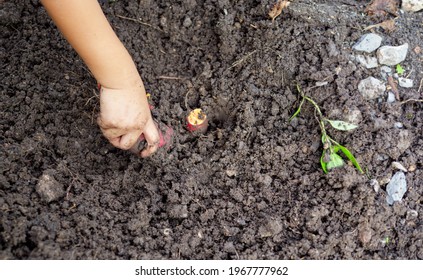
(125, 115)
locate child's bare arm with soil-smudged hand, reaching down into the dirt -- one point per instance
(123, 104)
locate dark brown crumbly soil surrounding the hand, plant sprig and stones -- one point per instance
(251, 187)
